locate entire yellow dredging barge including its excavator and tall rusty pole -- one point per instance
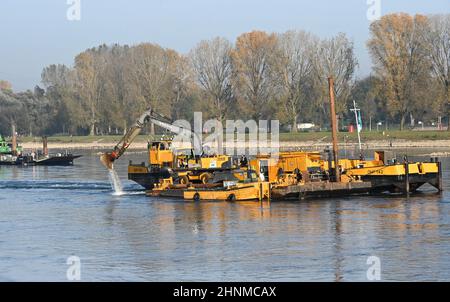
(294, 175)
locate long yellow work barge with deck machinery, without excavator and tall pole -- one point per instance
(302, 175)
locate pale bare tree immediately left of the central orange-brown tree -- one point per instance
(211, 62)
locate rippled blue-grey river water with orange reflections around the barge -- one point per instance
(48, 214)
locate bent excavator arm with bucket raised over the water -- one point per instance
(108, 158)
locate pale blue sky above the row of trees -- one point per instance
(36, 33)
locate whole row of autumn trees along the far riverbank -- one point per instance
(259, 76)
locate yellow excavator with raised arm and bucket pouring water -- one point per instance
(184, 165)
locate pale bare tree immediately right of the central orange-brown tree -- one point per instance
(294, 69)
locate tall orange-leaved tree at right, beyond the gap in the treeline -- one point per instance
(400, 59)
